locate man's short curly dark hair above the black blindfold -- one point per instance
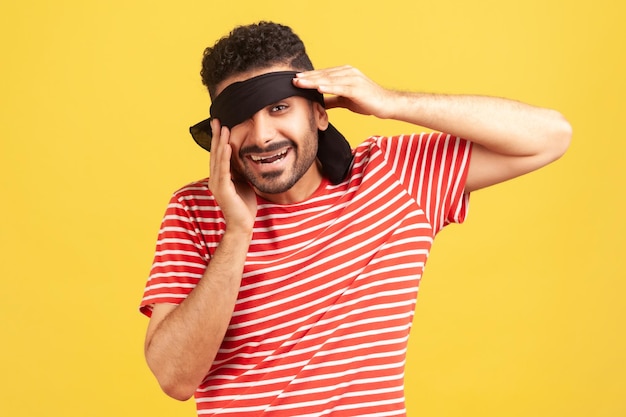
(255, 46)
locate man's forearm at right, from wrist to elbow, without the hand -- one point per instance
(500, 125)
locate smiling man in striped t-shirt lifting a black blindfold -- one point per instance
(285, 284)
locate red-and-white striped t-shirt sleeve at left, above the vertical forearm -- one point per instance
(180, 259)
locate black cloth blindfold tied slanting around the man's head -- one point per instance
(241, 100)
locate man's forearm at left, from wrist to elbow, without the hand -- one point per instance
(183, 344)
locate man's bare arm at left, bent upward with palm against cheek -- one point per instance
(182, 341)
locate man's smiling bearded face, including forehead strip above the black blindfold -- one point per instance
(275, 150)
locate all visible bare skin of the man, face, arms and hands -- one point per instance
(510, 139)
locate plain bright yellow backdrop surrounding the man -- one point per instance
(521, 311)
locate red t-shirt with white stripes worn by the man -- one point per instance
(329, 286)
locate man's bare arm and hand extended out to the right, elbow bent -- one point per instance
(510, 138)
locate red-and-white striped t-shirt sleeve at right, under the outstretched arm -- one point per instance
(433, 168)
